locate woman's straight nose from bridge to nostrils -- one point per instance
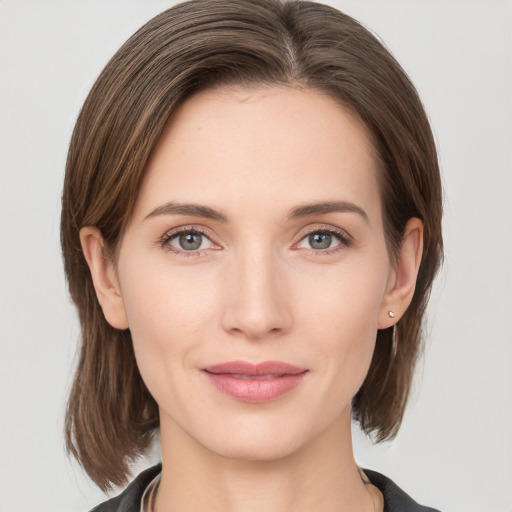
(257, 298)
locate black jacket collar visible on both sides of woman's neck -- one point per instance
(395, 499)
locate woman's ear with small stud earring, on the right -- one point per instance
(402, 282)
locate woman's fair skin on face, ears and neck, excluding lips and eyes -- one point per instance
(257, 290)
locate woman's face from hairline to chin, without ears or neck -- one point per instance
(257, 238)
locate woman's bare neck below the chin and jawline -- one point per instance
(320, 476)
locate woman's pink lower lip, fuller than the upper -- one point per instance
(253, 390)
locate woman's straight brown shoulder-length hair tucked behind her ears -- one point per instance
(204, 43)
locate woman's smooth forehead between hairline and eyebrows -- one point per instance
(240, 147)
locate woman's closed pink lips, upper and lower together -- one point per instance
(255, 383)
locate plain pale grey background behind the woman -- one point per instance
(454, 450)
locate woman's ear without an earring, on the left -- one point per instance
(104, 278)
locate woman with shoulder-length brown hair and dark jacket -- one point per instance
(250, 227)
